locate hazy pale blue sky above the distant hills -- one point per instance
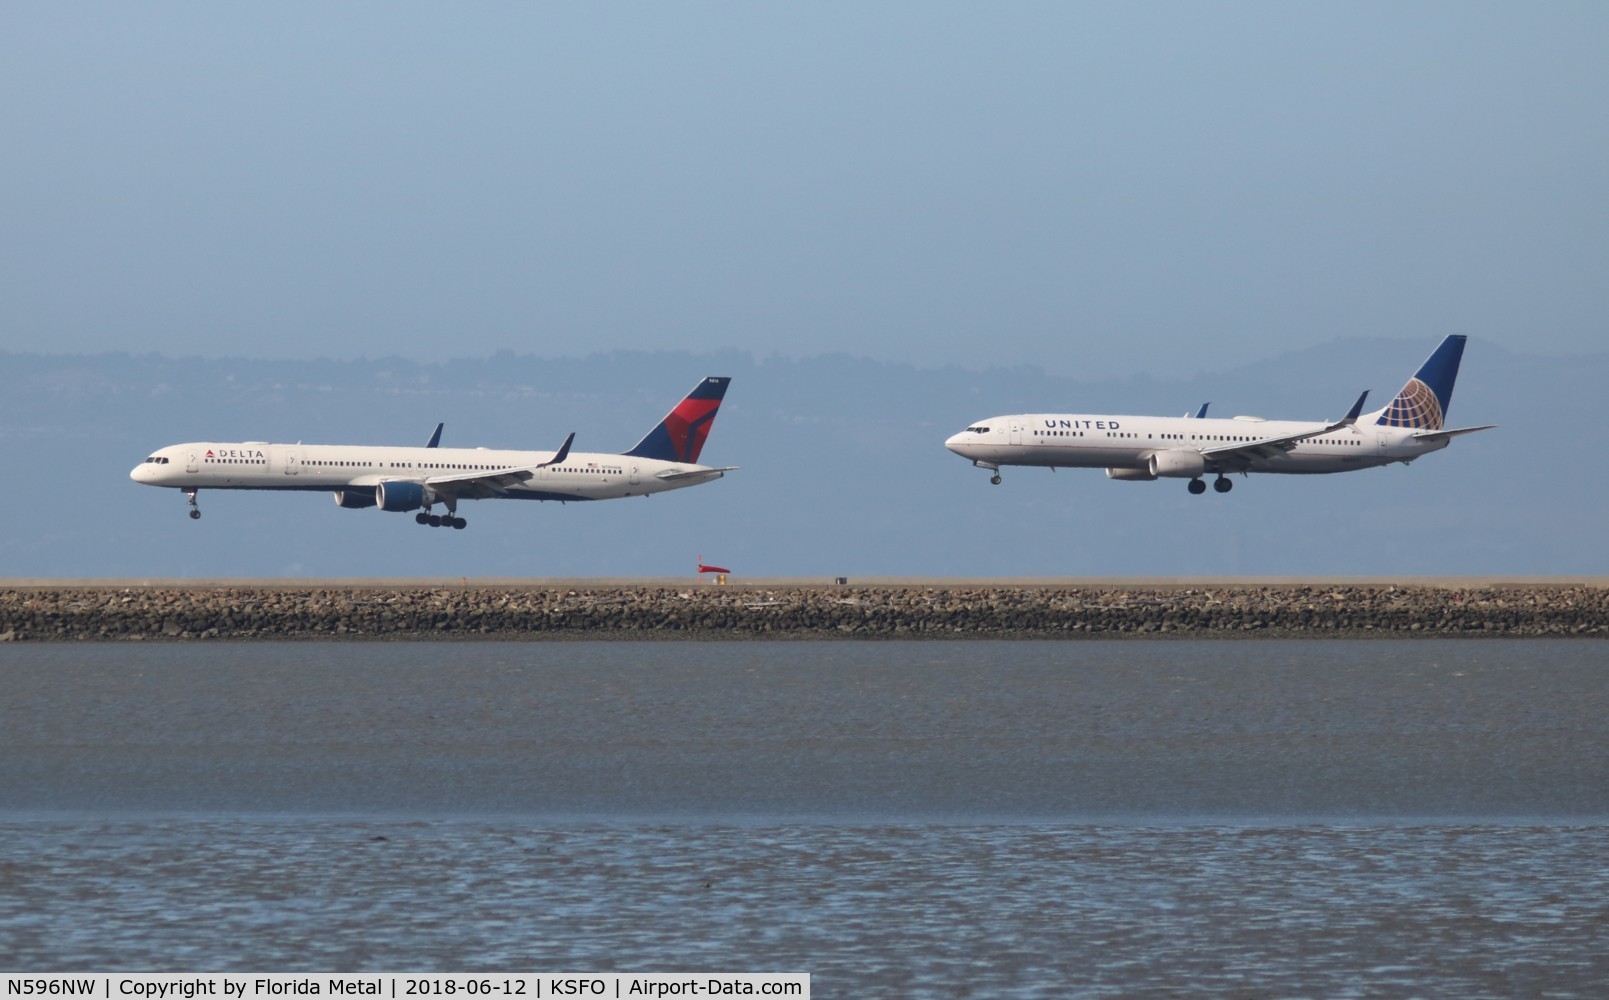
(1092, 189)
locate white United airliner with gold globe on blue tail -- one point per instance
(1182, 448)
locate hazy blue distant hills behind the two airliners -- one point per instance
(842, 473)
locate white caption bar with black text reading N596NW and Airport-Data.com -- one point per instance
(405, 986)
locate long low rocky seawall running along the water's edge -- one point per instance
(110, 613)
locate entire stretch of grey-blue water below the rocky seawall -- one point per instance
(902, 819)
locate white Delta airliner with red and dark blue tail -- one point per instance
(419, 478)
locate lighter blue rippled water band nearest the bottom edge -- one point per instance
(916, 911)
